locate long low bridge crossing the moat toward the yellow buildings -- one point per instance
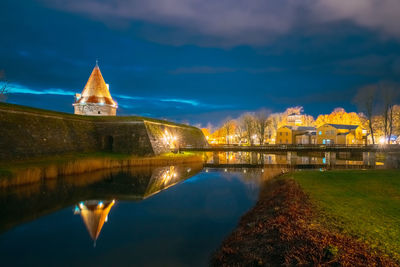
(295, 148)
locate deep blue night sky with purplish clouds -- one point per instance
(199, 61)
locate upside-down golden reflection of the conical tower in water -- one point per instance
(94, 214)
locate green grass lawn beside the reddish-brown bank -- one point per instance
(363, 204)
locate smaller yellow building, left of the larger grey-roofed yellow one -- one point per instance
(295, 135)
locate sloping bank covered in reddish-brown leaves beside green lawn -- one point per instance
(288, 227)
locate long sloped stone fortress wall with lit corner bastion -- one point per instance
(28, 132)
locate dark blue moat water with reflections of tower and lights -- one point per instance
(164, 216)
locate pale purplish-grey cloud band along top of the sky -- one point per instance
(240, 21)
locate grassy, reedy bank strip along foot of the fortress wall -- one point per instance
(22, 172)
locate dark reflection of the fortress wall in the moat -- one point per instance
(133, 184)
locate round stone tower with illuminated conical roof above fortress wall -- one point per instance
(95, 99)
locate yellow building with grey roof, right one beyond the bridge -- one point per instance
(342, 134)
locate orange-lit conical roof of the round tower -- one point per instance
(96, 90)
